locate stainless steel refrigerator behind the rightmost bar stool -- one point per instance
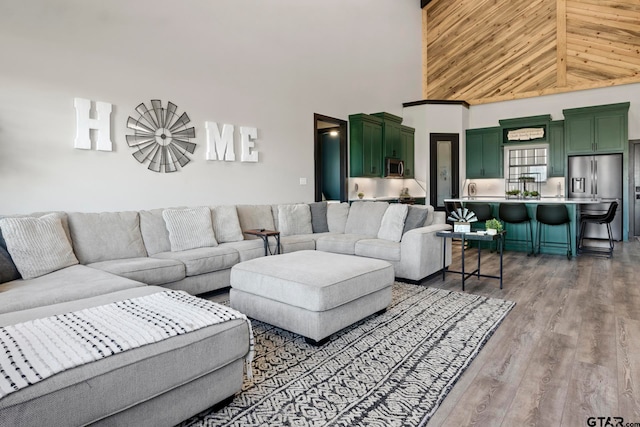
(598, 178)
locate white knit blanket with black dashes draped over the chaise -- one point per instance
(37, 349)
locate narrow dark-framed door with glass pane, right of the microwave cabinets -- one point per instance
(444, 168)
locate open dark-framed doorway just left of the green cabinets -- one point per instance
(330, 155)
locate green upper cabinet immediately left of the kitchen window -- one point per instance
(484, 153)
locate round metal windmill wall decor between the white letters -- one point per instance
(161, 137)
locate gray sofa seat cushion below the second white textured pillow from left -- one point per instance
(204, 260)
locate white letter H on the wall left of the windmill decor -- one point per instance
(84, 123)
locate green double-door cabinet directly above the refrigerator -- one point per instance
(599, 129)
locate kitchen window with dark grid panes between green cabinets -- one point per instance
(526, 160)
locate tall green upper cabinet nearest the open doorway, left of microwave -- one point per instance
(365, 146)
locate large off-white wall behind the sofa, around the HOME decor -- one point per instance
(270, 65)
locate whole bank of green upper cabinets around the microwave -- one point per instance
(374, 137)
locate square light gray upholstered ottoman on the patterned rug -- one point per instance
(311, 293)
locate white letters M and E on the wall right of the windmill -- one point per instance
(220, 144)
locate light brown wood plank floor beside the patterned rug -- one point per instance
(569, 350)
